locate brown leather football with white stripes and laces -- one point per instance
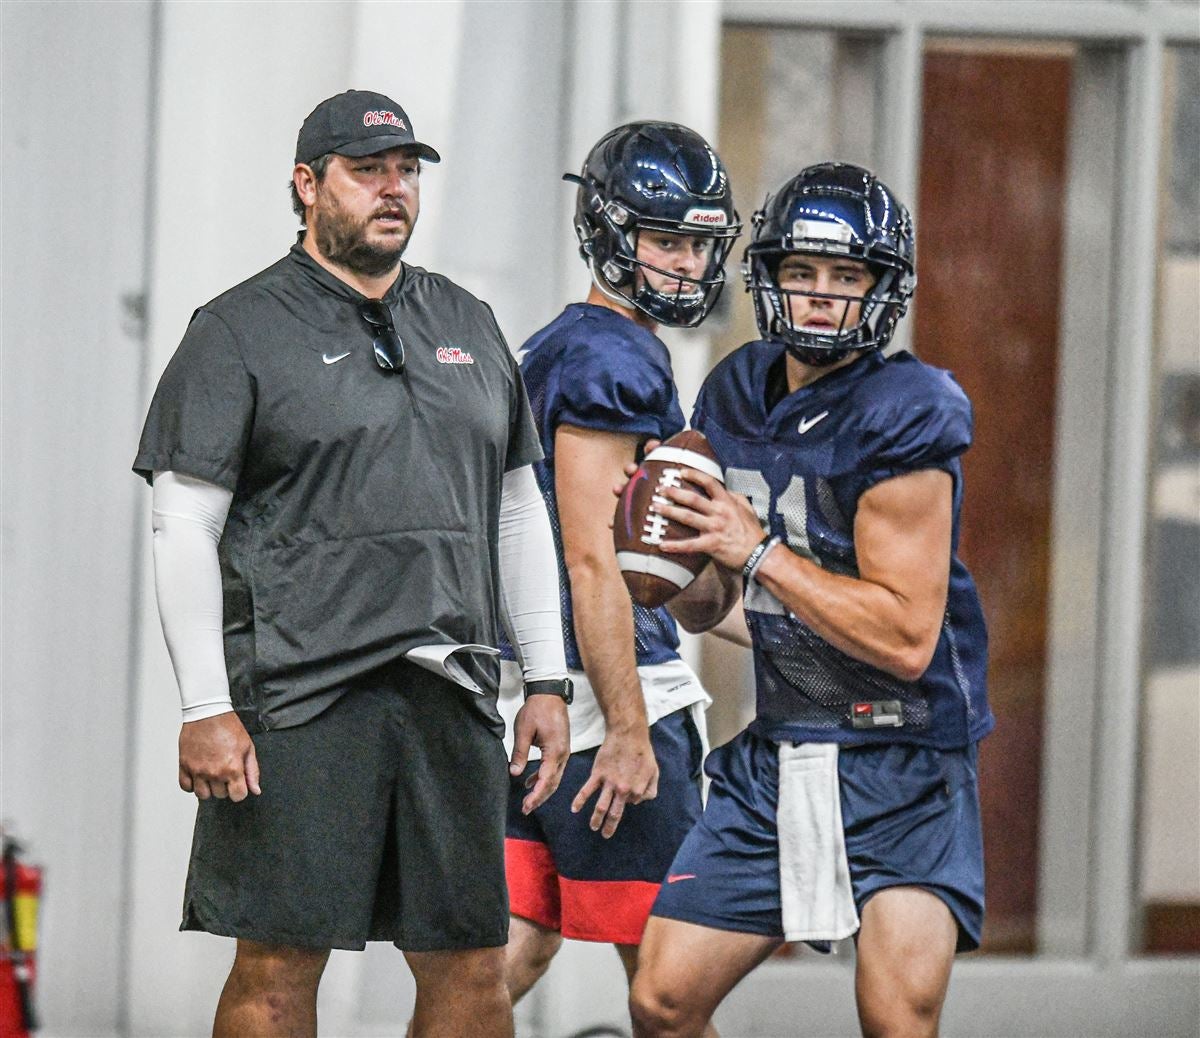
(653, 577)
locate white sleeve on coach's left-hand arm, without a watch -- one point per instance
(189, 518)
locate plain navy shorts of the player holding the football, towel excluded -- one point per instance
(910, 814)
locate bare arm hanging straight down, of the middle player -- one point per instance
(587, 464)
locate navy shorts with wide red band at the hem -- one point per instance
(566, 878)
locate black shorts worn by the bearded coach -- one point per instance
(382, 819)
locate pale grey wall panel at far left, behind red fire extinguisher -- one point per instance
(75, 143)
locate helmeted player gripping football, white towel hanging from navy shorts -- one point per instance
(850, 806)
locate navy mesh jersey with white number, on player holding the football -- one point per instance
(805, 464)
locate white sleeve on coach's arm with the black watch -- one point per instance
(530, 579)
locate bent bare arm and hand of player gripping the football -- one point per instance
(891, 615)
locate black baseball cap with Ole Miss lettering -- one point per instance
(358, 123)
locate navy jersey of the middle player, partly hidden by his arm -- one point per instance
(595, 369)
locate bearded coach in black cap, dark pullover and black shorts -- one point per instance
(340, 452)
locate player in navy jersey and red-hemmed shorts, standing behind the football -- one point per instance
(656, 221)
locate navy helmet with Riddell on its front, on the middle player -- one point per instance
(655, 177)
